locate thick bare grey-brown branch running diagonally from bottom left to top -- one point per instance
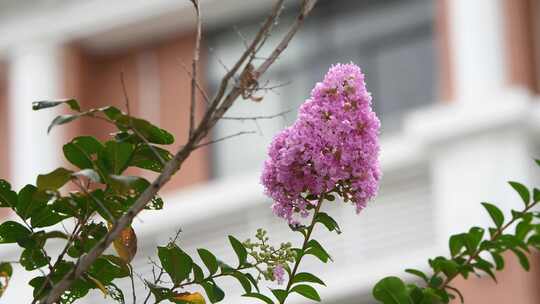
(221, 102)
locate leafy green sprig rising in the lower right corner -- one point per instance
(477, 251)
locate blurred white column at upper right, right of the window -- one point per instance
(477, 42)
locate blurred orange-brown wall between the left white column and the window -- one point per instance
(95, 80)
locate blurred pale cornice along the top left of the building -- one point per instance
(104, 26)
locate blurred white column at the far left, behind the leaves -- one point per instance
(35, 73)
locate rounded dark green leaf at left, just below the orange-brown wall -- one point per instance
(82, 151)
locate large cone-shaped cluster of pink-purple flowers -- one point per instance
(332, 147)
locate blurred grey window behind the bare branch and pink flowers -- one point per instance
(391, 40)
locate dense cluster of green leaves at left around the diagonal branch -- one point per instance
(89, 196)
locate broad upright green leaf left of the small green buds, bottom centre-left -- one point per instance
(176, 262)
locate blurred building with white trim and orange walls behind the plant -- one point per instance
(455, 83)
